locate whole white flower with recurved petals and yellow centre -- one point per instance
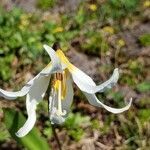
(62, 73)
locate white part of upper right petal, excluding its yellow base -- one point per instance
(86, 84)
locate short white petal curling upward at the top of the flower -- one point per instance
(55, 65)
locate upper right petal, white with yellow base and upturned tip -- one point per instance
(83, 81)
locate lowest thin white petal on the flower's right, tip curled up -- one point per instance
(93, 100)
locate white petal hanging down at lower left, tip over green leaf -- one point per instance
(34, 96)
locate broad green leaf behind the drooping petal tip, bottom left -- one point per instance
(33, 141)
